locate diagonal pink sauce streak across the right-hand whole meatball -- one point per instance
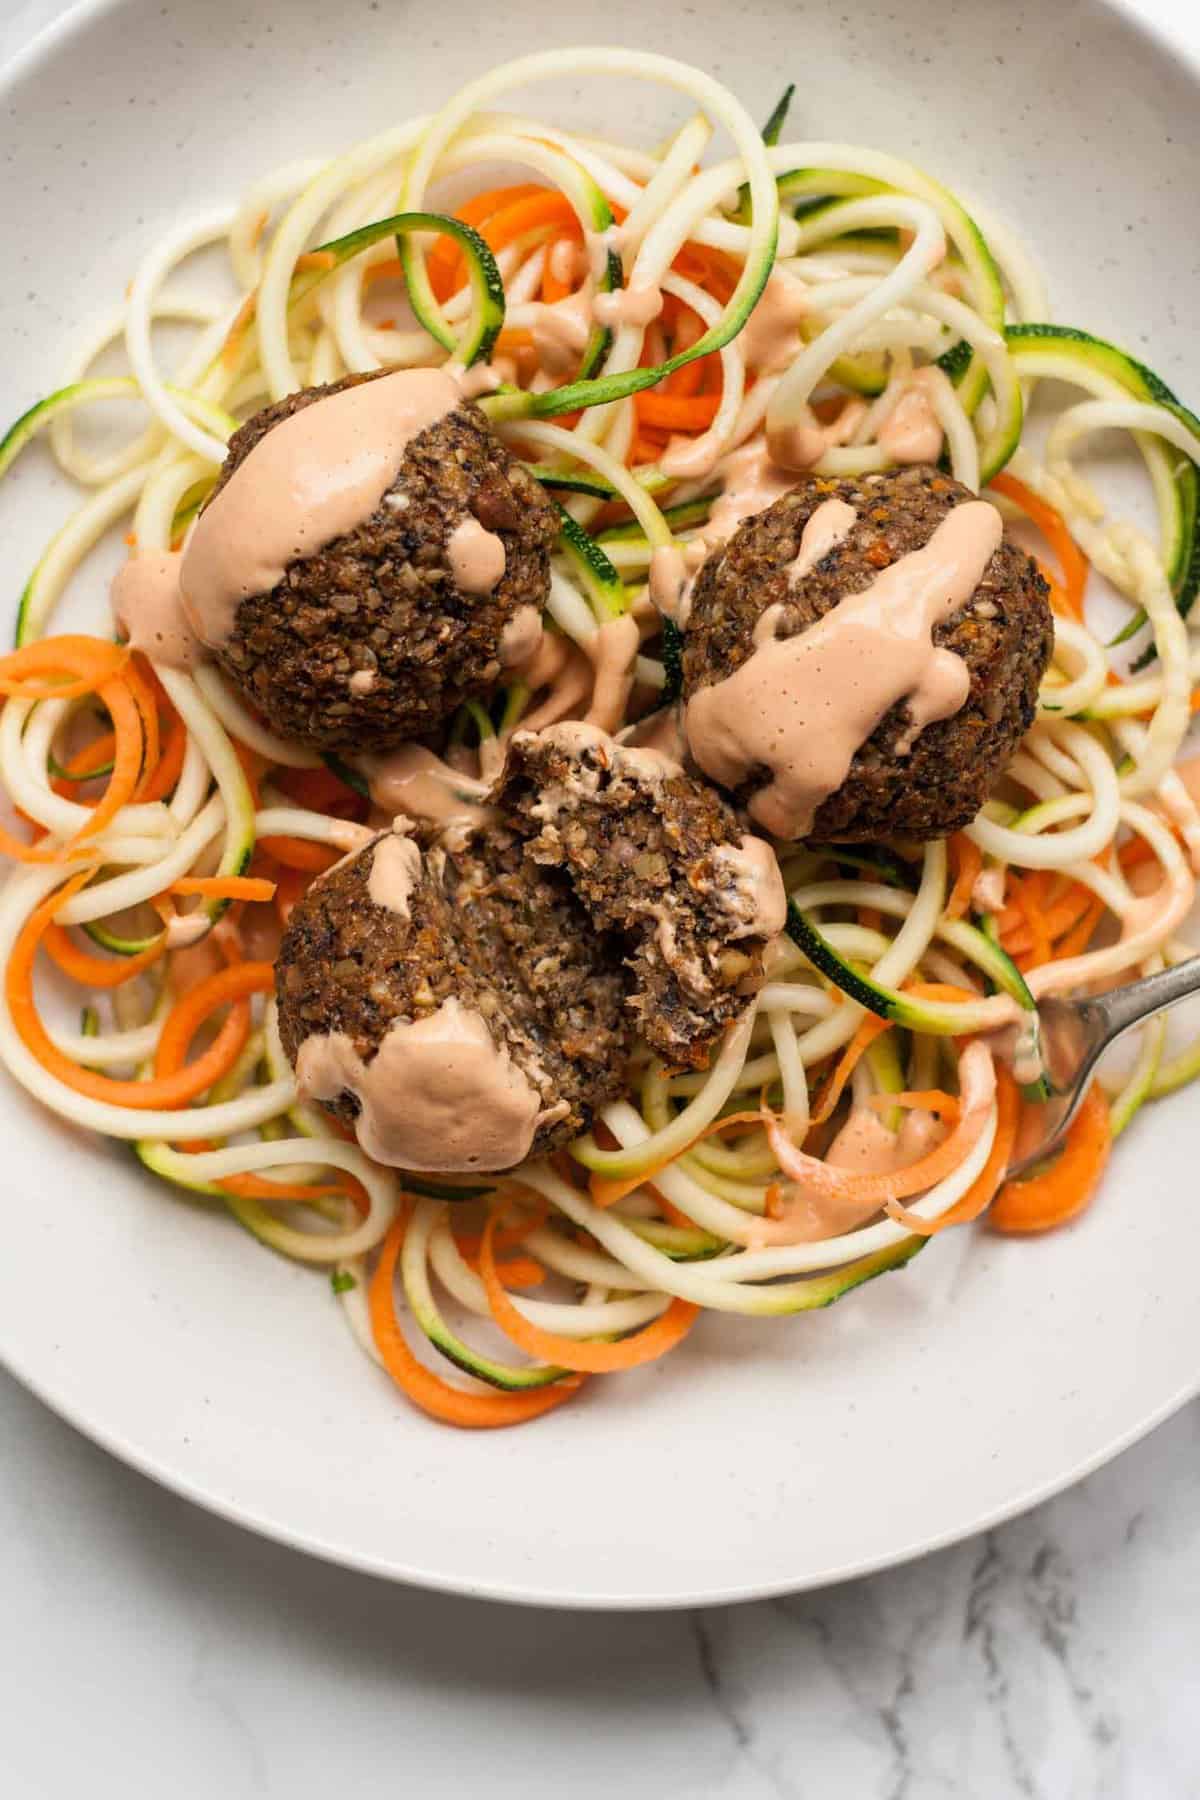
(803, 706)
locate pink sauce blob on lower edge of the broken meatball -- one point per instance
(440, 1095)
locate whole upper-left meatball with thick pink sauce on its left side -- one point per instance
(440, 557)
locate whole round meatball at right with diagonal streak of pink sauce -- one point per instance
(927, 760)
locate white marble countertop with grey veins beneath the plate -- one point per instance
(150, 1648)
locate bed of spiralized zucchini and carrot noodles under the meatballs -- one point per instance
(730, 1189)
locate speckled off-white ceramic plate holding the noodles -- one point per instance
(764, 1455)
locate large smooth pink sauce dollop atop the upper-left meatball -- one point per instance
(309, 481)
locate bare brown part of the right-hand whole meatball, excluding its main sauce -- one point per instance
(908, 778)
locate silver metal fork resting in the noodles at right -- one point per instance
(1077, 1034)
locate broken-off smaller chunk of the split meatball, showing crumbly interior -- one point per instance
(661, 861)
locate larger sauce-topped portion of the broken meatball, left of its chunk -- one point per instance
(456, 1007)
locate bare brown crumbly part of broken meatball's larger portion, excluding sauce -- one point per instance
(485, 928)
